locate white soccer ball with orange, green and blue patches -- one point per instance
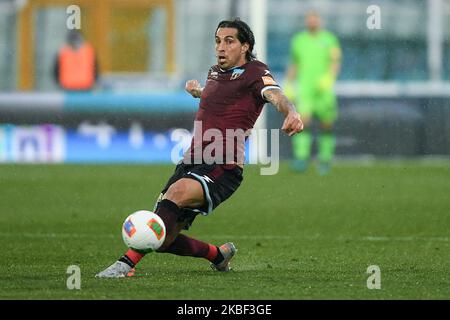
(143, 231)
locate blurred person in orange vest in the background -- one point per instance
(76, 67)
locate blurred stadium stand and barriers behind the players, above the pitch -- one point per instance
(393, 90)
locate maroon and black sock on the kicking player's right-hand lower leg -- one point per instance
(186, 246)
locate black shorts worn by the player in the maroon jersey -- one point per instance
(218, 181)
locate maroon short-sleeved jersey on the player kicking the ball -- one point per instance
(230, 104)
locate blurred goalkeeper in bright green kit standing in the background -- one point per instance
(315, 64)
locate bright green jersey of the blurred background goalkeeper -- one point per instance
(312, 55)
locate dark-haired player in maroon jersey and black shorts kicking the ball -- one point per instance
(235, 92)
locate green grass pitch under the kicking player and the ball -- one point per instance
(299, 236)
